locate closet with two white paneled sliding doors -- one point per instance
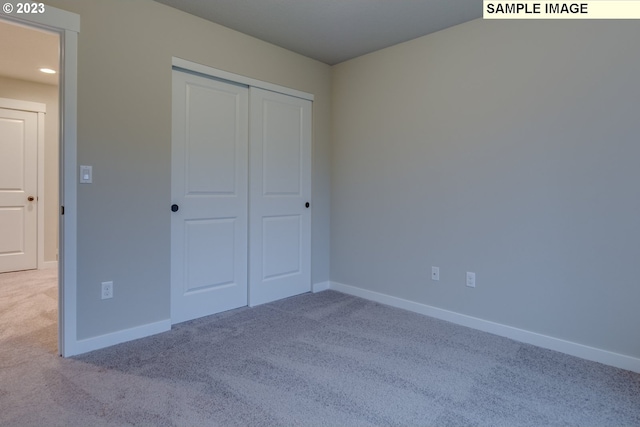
(241, 193)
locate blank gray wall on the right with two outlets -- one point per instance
(509, 149)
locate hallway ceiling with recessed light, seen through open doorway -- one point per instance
(25, 50)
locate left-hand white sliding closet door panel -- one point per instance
(209, 187)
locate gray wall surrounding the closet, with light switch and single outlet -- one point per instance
(124, 131)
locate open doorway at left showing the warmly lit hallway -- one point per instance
(29, 183)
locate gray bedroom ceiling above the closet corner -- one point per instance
(333, 31)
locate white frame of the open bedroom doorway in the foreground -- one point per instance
(67, 25)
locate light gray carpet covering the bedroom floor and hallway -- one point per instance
(314, 360)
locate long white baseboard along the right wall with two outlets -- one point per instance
(574, 349)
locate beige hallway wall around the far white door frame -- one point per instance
(48, 95)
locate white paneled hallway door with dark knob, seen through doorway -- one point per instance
(18, 189)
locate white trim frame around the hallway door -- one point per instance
(40, 109)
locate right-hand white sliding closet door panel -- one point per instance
(280, 193)
